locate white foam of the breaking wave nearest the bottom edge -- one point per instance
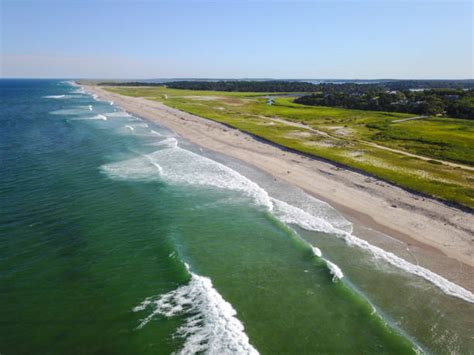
(211, 325)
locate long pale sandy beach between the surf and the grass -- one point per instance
(431, 234)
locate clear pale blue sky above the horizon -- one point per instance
(236, 39)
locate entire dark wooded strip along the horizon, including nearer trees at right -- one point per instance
(453, 98)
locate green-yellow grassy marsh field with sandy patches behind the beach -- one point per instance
(345, 136)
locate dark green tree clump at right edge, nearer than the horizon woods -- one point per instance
(448, 102)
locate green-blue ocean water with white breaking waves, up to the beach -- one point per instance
(118, 237)
